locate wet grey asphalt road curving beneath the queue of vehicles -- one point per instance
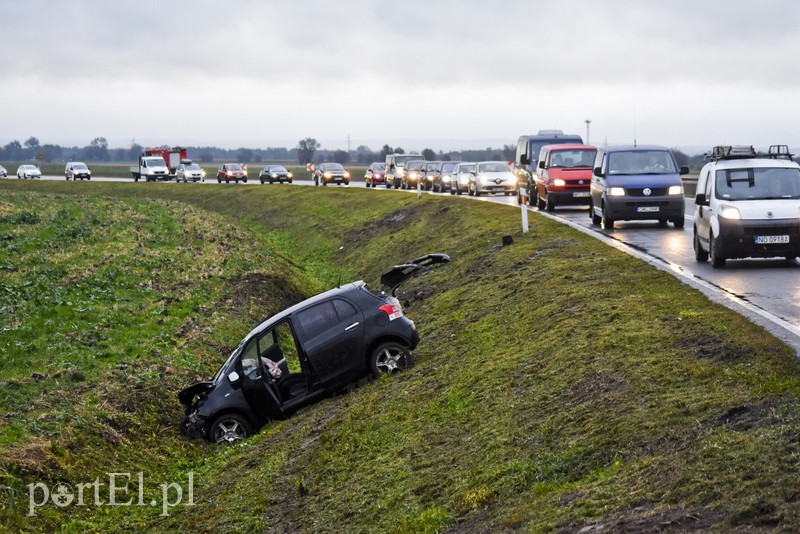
(765, 290)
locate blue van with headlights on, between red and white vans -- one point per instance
(636, 183)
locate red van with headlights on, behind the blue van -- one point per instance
(563, 176)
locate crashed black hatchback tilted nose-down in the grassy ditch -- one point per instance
(303, 354)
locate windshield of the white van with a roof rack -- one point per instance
(758, 184)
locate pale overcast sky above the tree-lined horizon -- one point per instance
(416, 74)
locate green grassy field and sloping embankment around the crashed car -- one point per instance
(558, 383)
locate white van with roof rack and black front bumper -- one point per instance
(747, 205)
